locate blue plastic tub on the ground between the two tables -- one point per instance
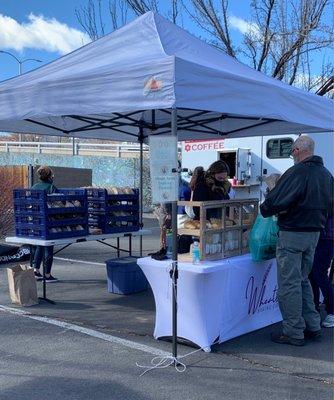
(125, 276)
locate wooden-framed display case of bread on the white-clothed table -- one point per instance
(223, 228)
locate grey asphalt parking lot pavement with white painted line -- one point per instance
(87, 344)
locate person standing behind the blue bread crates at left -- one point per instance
(44, 253)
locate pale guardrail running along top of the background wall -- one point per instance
(74, 148)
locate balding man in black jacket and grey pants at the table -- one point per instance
(302, 200)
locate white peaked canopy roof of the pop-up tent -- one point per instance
(133, 77)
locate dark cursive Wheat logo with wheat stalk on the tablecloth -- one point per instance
(257, 296)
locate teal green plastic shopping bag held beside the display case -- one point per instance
(263, 238)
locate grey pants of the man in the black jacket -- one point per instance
(294, 254)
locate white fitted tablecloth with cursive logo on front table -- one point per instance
(221, 299)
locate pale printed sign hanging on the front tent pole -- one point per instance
(163, 158)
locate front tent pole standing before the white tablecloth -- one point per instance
(174, 271)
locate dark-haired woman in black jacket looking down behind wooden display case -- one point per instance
(212, 185)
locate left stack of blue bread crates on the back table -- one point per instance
(50, 216)
